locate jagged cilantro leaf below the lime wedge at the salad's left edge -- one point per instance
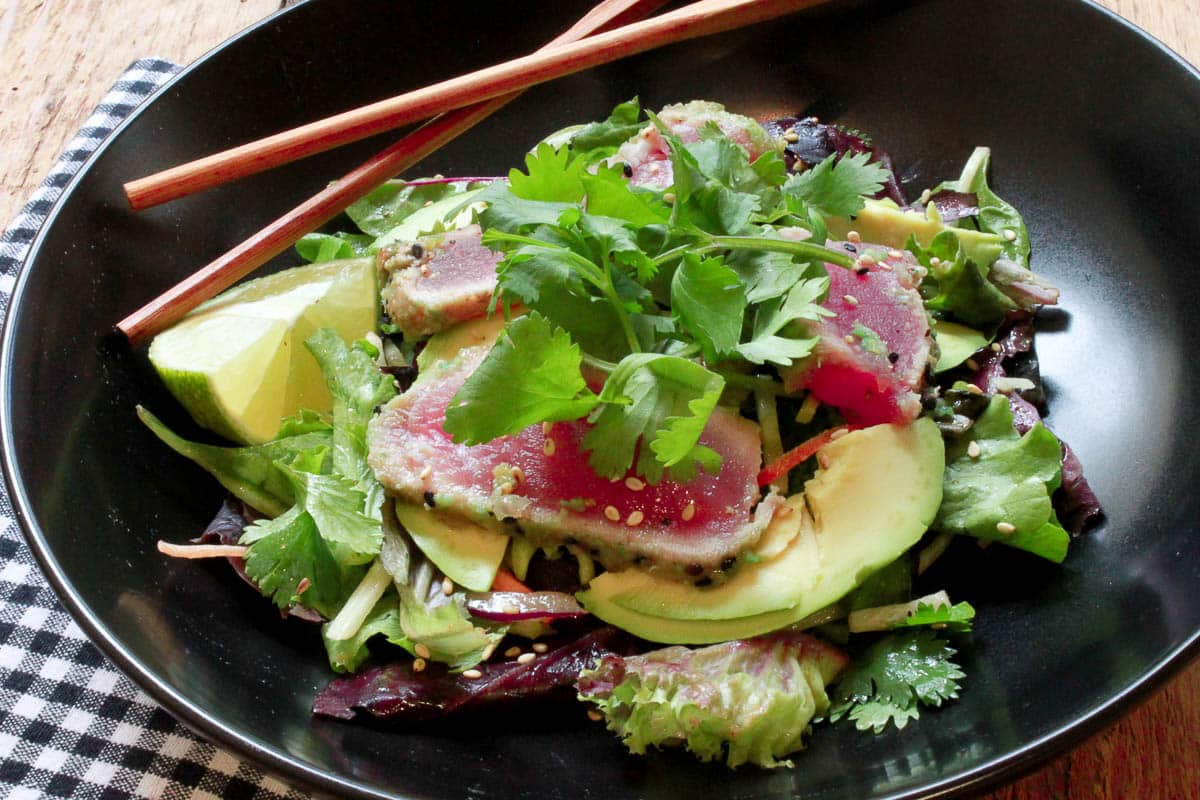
(291, 563)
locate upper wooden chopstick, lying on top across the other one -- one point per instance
(701, 19)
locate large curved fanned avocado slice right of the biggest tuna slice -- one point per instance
(877, 497)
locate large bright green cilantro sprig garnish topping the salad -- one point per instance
(643, 305)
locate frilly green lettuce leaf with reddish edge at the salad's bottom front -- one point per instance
(749, 701)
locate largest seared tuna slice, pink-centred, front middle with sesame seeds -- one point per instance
(539, 484)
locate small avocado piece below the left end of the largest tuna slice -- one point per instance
(466, 552)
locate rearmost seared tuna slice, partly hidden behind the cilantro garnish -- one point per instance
(649, 155)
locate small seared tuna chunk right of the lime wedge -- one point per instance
(439, 281)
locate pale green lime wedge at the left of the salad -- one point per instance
(238, 363)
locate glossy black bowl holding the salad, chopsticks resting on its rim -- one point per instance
(1095, 137)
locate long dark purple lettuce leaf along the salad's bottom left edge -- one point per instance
(397, 693)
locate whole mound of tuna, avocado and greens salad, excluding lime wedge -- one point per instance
(686, 380)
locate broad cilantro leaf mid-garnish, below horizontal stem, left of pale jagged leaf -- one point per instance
(710, 302)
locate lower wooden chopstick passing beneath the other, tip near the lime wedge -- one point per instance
(327, 204)
